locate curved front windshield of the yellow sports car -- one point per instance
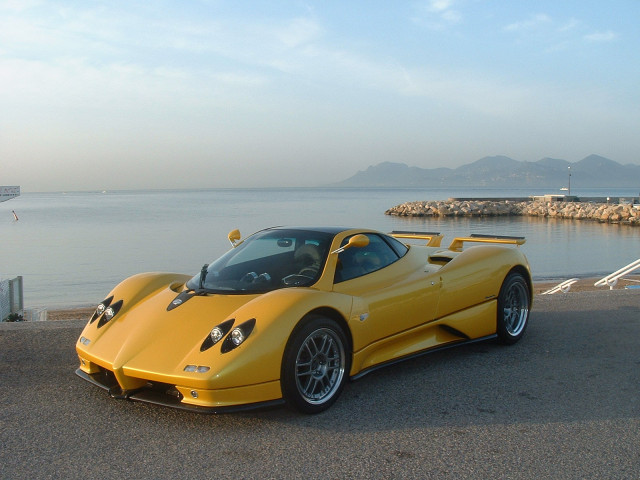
(266, 261)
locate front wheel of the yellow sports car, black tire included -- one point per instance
(315, 365)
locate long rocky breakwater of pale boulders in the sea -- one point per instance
(606, 213)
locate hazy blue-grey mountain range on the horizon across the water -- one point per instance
(593, 171)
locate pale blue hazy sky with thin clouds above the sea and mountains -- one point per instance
(161, 94)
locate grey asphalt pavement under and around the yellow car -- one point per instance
(562, 403)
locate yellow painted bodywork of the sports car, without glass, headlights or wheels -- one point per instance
(428, 298)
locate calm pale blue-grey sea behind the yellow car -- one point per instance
(72, 248)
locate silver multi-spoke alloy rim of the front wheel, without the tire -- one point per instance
(320, 365)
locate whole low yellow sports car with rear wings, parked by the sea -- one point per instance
(290, 314)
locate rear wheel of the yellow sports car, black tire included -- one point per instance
(514, 303)
